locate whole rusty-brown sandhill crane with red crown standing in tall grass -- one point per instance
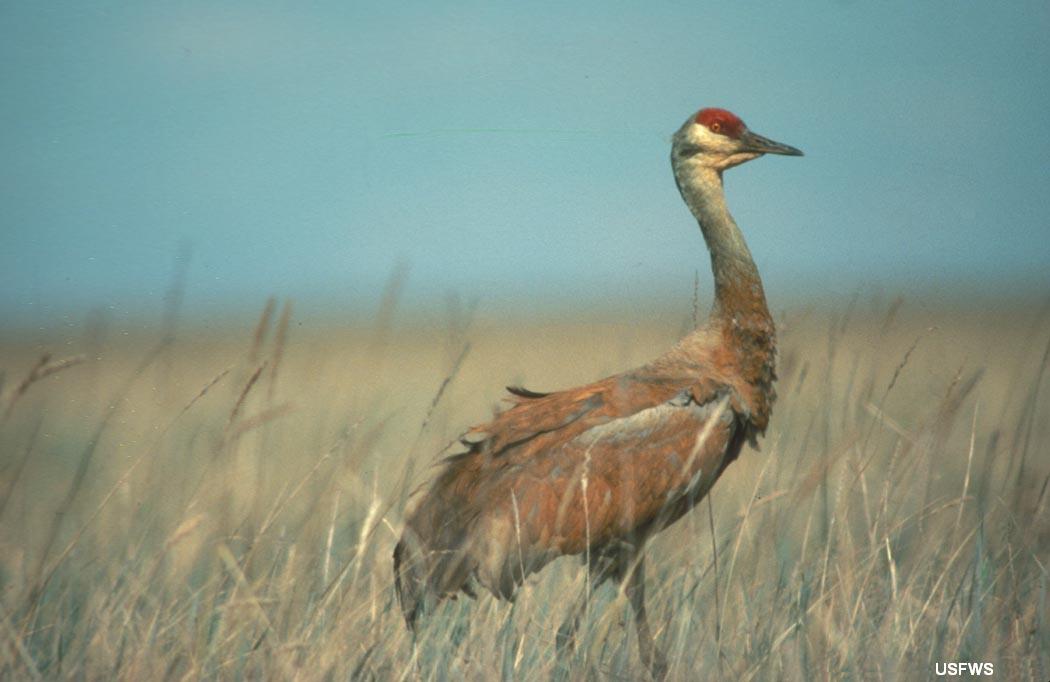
(599, 470)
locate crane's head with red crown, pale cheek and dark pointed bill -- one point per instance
(719, 139)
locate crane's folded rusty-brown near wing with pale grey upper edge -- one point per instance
(624, 478)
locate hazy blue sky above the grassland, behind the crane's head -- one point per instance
(511, 153)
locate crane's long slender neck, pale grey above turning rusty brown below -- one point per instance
(740, 299)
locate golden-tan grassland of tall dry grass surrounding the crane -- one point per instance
(225, 505)
